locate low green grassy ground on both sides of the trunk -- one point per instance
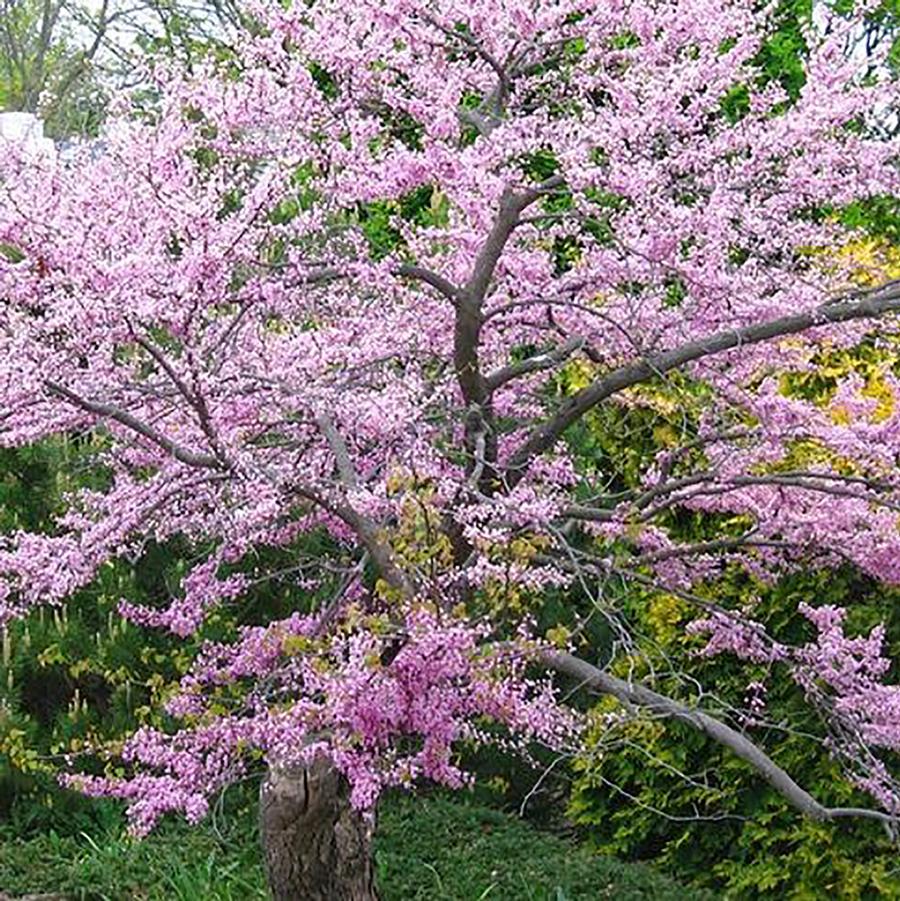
(432, 849)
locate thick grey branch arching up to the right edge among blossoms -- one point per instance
(876, 303)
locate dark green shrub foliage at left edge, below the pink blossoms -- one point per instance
(78, 677)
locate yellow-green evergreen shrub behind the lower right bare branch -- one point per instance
(724, 827)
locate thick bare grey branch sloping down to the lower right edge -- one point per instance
(641, 696)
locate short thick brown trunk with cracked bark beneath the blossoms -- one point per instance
(316, 847)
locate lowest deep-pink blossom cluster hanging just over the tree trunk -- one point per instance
(295, 696)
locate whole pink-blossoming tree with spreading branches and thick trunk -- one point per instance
(367, 276)
